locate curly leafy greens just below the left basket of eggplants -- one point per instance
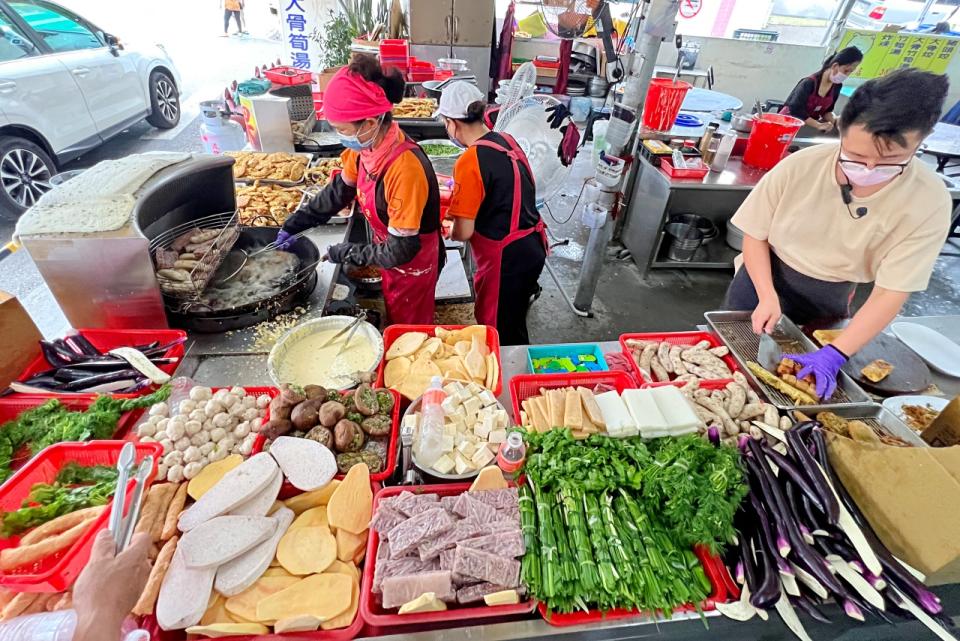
(52, 423)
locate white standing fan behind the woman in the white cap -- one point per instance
(528, 122)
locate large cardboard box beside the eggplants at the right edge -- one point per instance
(905, 493)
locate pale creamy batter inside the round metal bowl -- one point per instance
(306, 363)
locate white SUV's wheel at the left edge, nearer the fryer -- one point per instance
(25, 173)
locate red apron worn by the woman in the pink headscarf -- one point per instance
(408, 290)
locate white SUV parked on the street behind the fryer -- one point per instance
(66, 86)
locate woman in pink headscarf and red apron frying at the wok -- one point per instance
(394, 185)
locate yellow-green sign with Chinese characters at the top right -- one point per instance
(885, 52)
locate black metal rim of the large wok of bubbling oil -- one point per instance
(296, 292)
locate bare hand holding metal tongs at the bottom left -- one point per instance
(110, 585)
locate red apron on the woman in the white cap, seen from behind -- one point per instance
(488, 252)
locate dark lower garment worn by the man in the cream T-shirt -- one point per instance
(803, 299)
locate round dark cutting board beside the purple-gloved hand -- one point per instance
(909, 376)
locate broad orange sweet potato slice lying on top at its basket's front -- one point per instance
(320, 595)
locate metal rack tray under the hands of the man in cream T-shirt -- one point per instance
(736, 332)
